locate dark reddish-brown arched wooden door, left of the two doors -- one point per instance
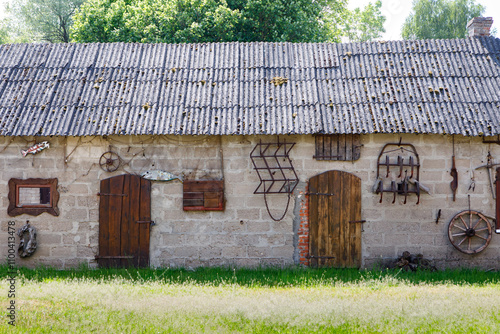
(124, 222)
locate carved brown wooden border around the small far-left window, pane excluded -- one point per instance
(15, 209)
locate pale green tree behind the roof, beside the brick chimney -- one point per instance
(440, 19)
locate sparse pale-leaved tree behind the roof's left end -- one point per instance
(41, 20)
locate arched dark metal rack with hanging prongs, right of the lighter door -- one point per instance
(402, 163)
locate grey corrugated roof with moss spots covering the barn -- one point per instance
(429, 86)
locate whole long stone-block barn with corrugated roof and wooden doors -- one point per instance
(359, 151)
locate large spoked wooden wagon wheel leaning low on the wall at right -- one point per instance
(469, 231)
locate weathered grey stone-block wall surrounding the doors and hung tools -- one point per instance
(243, 234)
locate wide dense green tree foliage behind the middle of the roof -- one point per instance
(178, 21)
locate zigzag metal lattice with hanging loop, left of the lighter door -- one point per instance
(275, 170)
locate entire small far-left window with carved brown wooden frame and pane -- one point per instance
(33, 197)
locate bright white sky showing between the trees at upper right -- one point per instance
(396, 11)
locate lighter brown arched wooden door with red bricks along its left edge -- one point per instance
(334, 215)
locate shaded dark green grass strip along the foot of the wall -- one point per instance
(259, 277)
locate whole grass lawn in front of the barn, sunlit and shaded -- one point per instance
(253, 301)
